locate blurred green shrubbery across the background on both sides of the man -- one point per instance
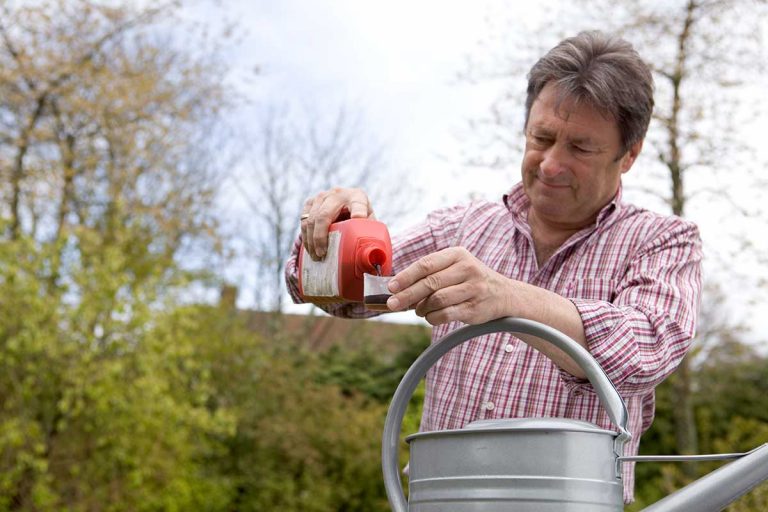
(199, 412)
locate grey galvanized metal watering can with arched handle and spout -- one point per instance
(537, 464)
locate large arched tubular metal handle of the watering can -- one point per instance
(609, 397)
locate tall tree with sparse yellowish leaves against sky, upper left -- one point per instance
(105, 125)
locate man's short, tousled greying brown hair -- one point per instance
(603, 71)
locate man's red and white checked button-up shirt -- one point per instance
(634, 277)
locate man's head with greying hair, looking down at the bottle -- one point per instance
(589, 105)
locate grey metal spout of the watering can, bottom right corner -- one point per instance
(716, 490)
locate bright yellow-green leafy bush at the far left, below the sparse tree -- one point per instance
(86, 425)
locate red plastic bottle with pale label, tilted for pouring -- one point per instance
(355, 247)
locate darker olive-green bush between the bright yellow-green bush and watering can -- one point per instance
(298, 444)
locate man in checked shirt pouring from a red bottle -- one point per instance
(562, 249)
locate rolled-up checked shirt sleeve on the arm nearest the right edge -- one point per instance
(641, 336)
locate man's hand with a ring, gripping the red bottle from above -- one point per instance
(322, 210)
